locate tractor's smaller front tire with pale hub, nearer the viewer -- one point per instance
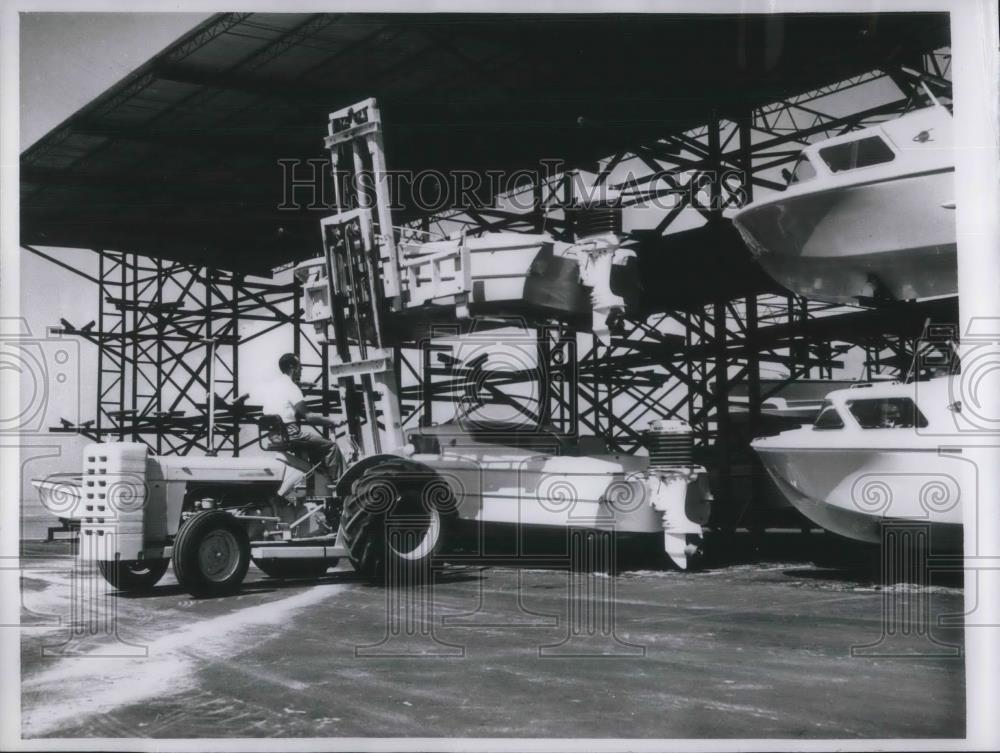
(211, 554)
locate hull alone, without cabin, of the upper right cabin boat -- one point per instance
(890, 237)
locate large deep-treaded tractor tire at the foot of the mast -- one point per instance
(389, 526)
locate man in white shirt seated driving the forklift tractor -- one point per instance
(285, 399)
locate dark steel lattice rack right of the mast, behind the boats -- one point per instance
(706, 171)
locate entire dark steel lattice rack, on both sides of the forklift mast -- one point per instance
(167, 330)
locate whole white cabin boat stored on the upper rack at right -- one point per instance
(867, 216)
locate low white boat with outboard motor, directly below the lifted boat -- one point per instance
(532, 477)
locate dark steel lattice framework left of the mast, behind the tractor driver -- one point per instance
(168, 335)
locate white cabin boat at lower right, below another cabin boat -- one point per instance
(873, 456)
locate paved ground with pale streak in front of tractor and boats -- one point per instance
(760, 650)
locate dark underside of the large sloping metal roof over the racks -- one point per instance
(180, 159)
